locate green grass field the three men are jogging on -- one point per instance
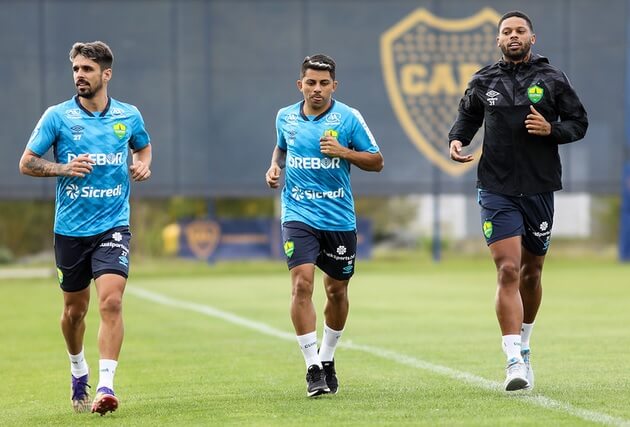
(213, 345)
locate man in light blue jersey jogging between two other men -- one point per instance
(318, 139)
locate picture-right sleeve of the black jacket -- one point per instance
(573, 119)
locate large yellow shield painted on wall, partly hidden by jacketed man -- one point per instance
(427, 64)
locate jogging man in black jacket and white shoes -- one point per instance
(529, 108)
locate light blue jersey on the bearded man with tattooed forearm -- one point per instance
(99, 201)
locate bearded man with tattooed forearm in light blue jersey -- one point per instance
(91, 135)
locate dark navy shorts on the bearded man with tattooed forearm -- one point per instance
(80, 259)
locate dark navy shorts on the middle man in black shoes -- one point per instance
(334, 252)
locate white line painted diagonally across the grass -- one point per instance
(534, 399)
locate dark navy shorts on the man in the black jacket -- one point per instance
(508, 216)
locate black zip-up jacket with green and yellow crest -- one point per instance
(514, 162)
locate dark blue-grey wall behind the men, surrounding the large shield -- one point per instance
(210, 75)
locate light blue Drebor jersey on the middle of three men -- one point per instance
(317, 188)
